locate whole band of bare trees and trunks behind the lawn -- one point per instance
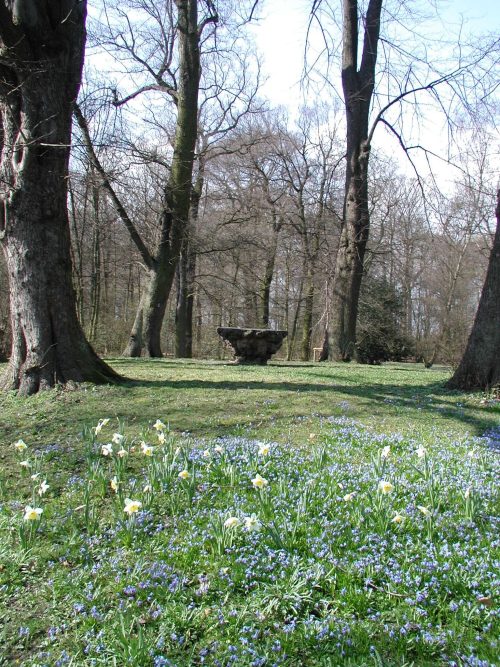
(215, 210)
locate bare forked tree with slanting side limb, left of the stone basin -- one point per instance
(161, 71)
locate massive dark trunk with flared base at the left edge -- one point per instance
(39, 80)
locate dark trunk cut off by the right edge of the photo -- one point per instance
(480, 365)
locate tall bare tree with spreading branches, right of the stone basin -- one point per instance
(408, 74)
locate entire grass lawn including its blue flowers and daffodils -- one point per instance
(296, 514)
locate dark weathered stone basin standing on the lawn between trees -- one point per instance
(252, 346)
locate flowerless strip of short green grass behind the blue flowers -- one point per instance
(213, 398)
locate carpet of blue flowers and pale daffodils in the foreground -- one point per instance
(354, 549)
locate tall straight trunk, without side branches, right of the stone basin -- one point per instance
(358, 90)
